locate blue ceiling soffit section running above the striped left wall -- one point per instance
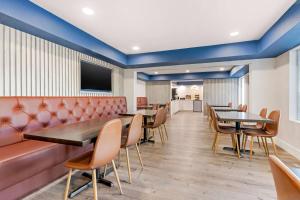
(28, 17)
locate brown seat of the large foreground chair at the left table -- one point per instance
(81, 162)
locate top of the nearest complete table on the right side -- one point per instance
(241, 117)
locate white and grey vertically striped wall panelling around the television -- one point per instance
(30, 66)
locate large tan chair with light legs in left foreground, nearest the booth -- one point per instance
(106, 149)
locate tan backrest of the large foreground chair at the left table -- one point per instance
(108, 144)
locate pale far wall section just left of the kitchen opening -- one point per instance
(158, 91)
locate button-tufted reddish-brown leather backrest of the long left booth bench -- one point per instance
(19, 115)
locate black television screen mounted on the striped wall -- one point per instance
(95, 77)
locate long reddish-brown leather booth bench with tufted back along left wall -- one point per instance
(27, 165)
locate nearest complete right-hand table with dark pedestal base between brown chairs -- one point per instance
(239, 117)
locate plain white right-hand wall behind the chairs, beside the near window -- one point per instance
(269, 87)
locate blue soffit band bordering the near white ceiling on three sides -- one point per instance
(30, 18)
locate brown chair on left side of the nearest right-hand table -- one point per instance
(224, 131)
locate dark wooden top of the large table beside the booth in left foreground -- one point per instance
(78, 134)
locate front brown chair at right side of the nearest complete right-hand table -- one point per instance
(270, 131)
